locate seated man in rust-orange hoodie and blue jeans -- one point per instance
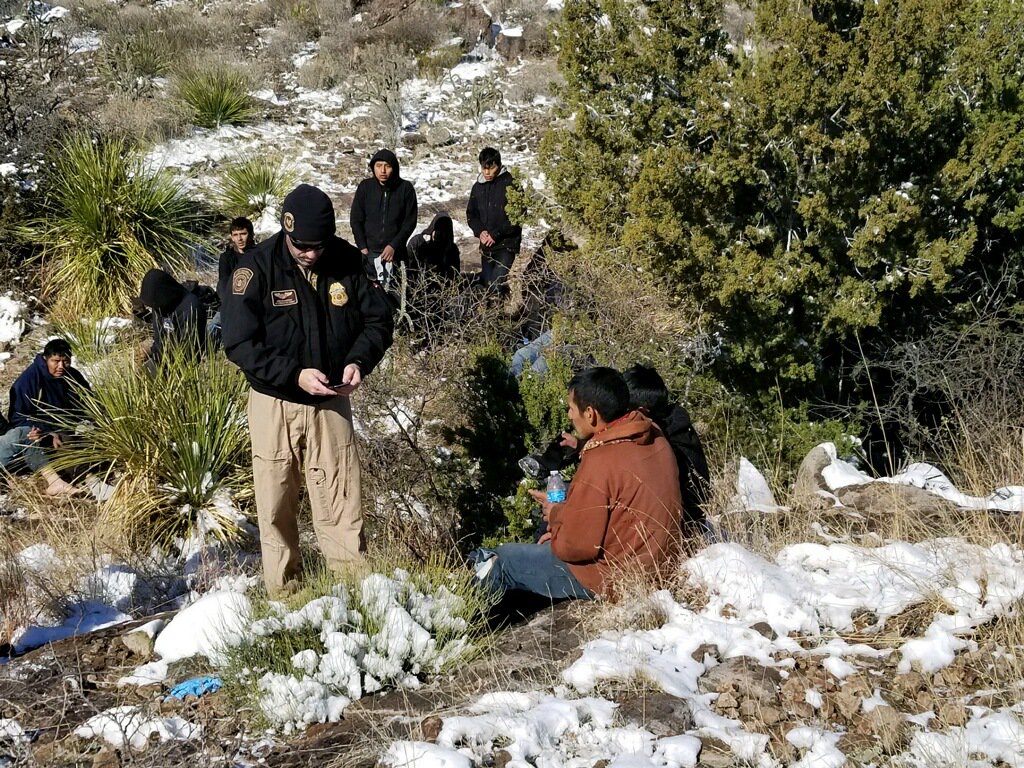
(623, 508)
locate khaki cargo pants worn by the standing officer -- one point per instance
(288, 439)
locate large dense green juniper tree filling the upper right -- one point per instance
(855, 179)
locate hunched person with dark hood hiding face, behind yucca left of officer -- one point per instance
(177, 315)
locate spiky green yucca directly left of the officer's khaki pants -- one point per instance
(169, 443)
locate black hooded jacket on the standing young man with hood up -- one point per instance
(385, 215)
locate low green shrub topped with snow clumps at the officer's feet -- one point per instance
(307, 664)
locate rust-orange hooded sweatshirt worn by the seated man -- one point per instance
(623, 509)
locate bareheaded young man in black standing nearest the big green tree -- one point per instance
(500, 239)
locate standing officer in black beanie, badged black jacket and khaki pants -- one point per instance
(306, 325)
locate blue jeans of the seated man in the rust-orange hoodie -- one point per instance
(532, 568)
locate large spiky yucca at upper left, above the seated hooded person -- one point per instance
(107, 220)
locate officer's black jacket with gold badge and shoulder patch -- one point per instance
(276, 323)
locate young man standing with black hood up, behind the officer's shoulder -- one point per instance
(383, 217)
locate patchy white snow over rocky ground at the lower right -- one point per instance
(807, 594)
